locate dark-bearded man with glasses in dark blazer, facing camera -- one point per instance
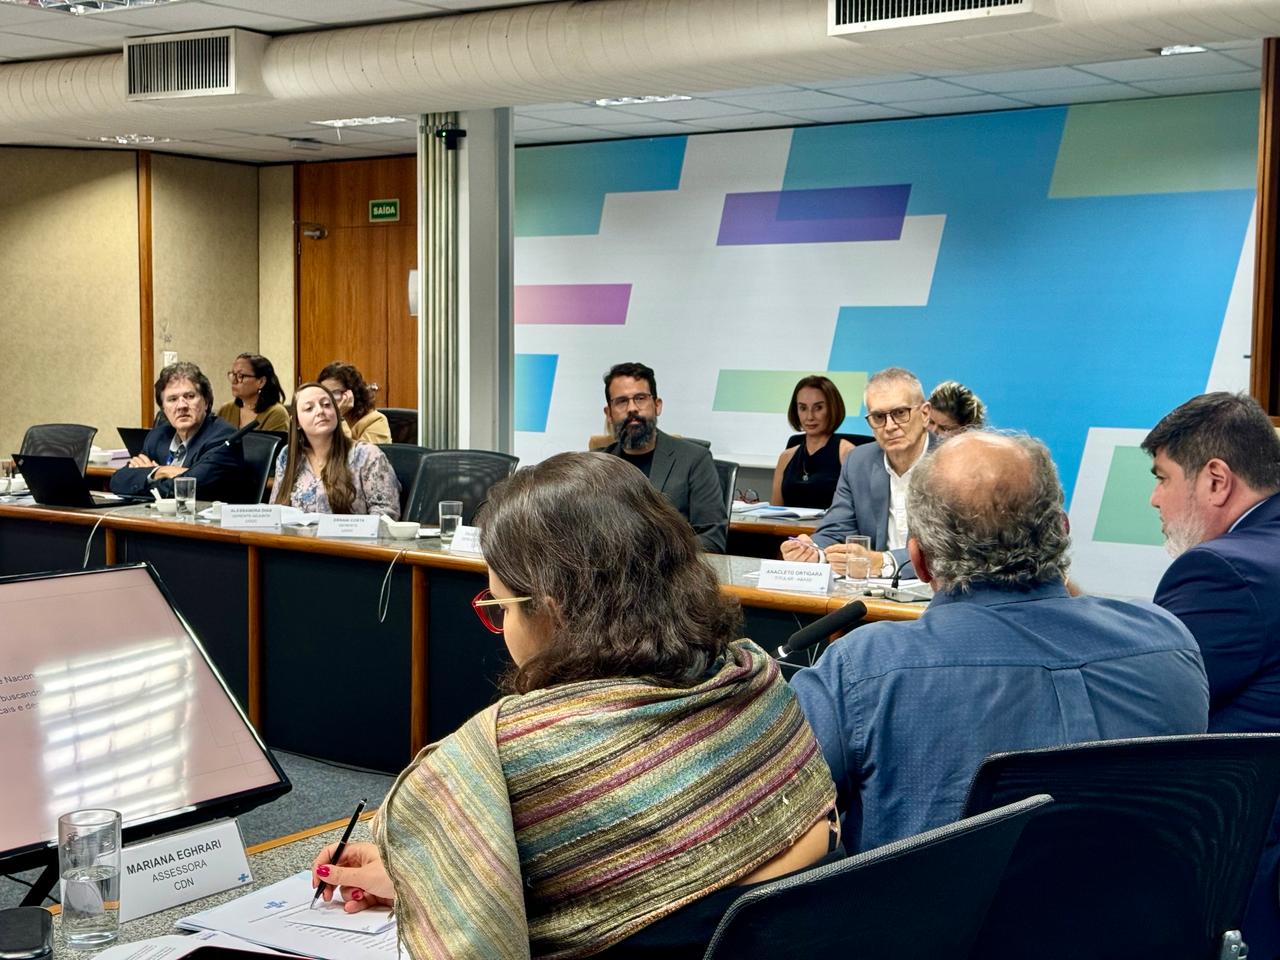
(682, 470)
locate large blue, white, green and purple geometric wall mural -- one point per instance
(1081, 268)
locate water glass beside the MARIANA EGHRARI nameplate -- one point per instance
(89, 863)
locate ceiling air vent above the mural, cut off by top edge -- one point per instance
(898, 21)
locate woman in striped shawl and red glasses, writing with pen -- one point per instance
(646, 767)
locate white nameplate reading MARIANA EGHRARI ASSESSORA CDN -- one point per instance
(182, 867)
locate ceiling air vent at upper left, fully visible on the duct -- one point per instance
(217, 63)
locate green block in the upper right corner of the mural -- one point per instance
(1172, 145)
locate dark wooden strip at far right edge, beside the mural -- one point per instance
(1265, 372)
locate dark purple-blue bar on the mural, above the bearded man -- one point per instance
(830, 216)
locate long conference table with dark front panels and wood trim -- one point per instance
(381, 632)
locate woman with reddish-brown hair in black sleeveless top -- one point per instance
(808, 469)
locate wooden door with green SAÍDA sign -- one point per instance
(353, 301)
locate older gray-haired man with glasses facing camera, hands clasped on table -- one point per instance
(871, 497)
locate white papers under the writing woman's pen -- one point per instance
(271, 916)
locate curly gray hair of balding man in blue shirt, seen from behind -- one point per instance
(1012, 534)
